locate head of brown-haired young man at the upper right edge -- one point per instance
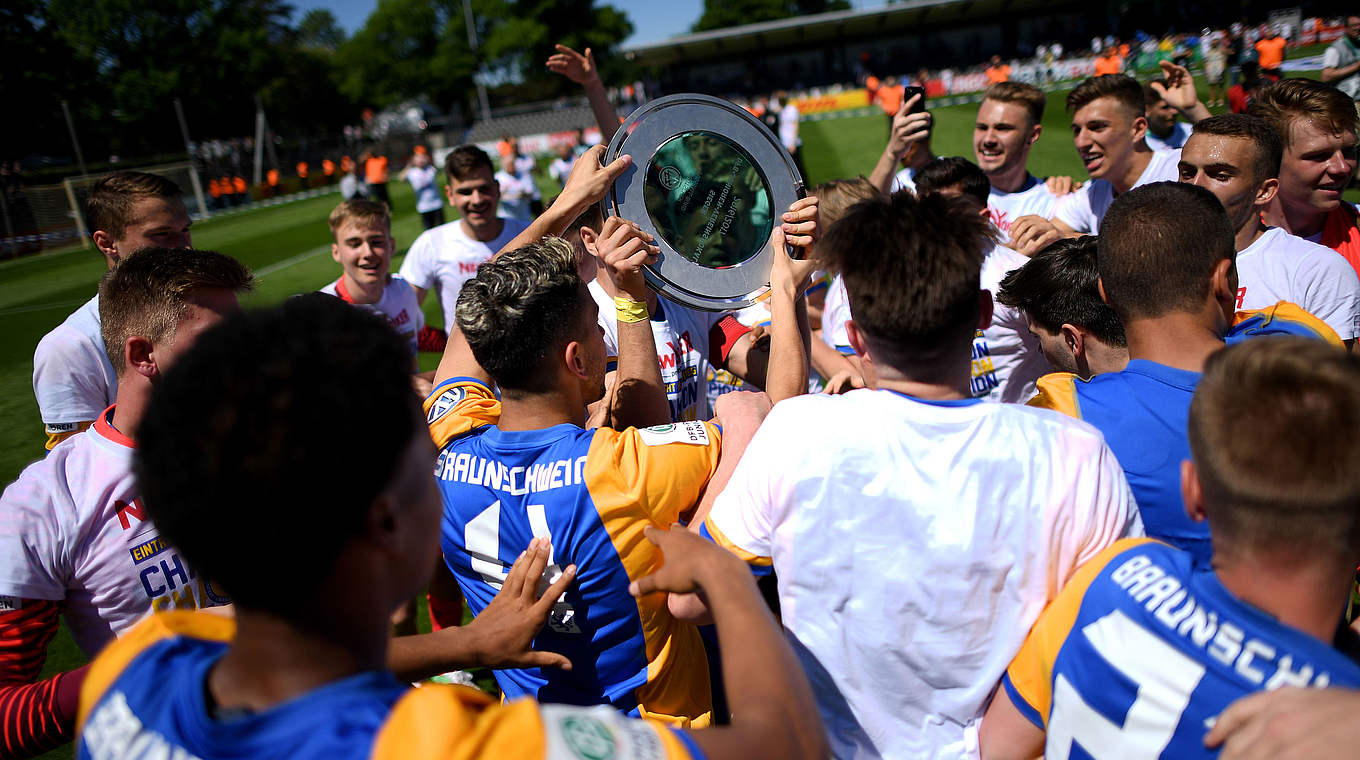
(1317, 124)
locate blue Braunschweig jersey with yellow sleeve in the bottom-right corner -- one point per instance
(1144, 649)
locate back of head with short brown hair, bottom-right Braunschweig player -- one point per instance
(1272, 433)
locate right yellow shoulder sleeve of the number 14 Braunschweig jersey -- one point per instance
(662, 470)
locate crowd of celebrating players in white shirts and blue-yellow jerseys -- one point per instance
(1081, 475)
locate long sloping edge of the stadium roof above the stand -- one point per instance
(825, 28)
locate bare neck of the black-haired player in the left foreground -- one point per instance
(271, 661)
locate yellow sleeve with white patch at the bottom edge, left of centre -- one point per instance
(440, 721)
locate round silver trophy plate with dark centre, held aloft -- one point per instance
(708, 182)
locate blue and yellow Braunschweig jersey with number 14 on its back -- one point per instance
(592, 493)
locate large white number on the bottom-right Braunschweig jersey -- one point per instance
(1162, 674)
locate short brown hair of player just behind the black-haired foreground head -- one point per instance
(148, 293)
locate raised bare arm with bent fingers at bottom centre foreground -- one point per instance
(773, 712)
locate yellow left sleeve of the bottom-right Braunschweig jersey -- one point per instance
(1032, 671)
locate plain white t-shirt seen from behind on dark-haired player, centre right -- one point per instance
(916, 545)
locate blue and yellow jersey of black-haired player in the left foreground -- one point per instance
(146, 697)
